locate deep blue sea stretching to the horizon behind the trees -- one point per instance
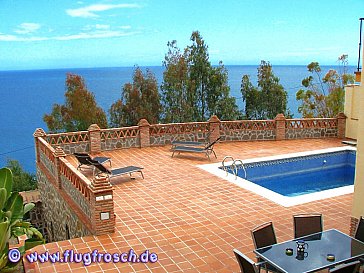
(26, 95)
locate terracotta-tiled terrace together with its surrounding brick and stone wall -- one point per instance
(190, 218)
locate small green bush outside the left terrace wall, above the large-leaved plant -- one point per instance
(22, 180)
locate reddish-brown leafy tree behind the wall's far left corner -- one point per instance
(79, 111)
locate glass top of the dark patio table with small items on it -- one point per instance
(333, 242)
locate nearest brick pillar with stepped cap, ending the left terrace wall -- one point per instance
(103, 217)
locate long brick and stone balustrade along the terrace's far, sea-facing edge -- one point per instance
(96, 140)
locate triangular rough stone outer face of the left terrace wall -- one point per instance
(61, 220)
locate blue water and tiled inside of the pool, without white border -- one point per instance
(302, 175)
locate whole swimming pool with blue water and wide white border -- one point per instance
(295, 178)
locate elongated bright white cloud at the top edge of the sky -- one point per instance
(90, 11)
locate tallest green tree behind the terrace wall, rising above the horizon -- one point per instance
(193, 89)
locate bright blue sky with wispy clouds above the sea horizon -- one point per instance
(101, 33)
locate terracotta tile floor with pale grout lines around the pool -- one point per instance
(191, 219)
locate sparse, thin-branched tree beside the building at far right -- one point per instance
(323, 96)
